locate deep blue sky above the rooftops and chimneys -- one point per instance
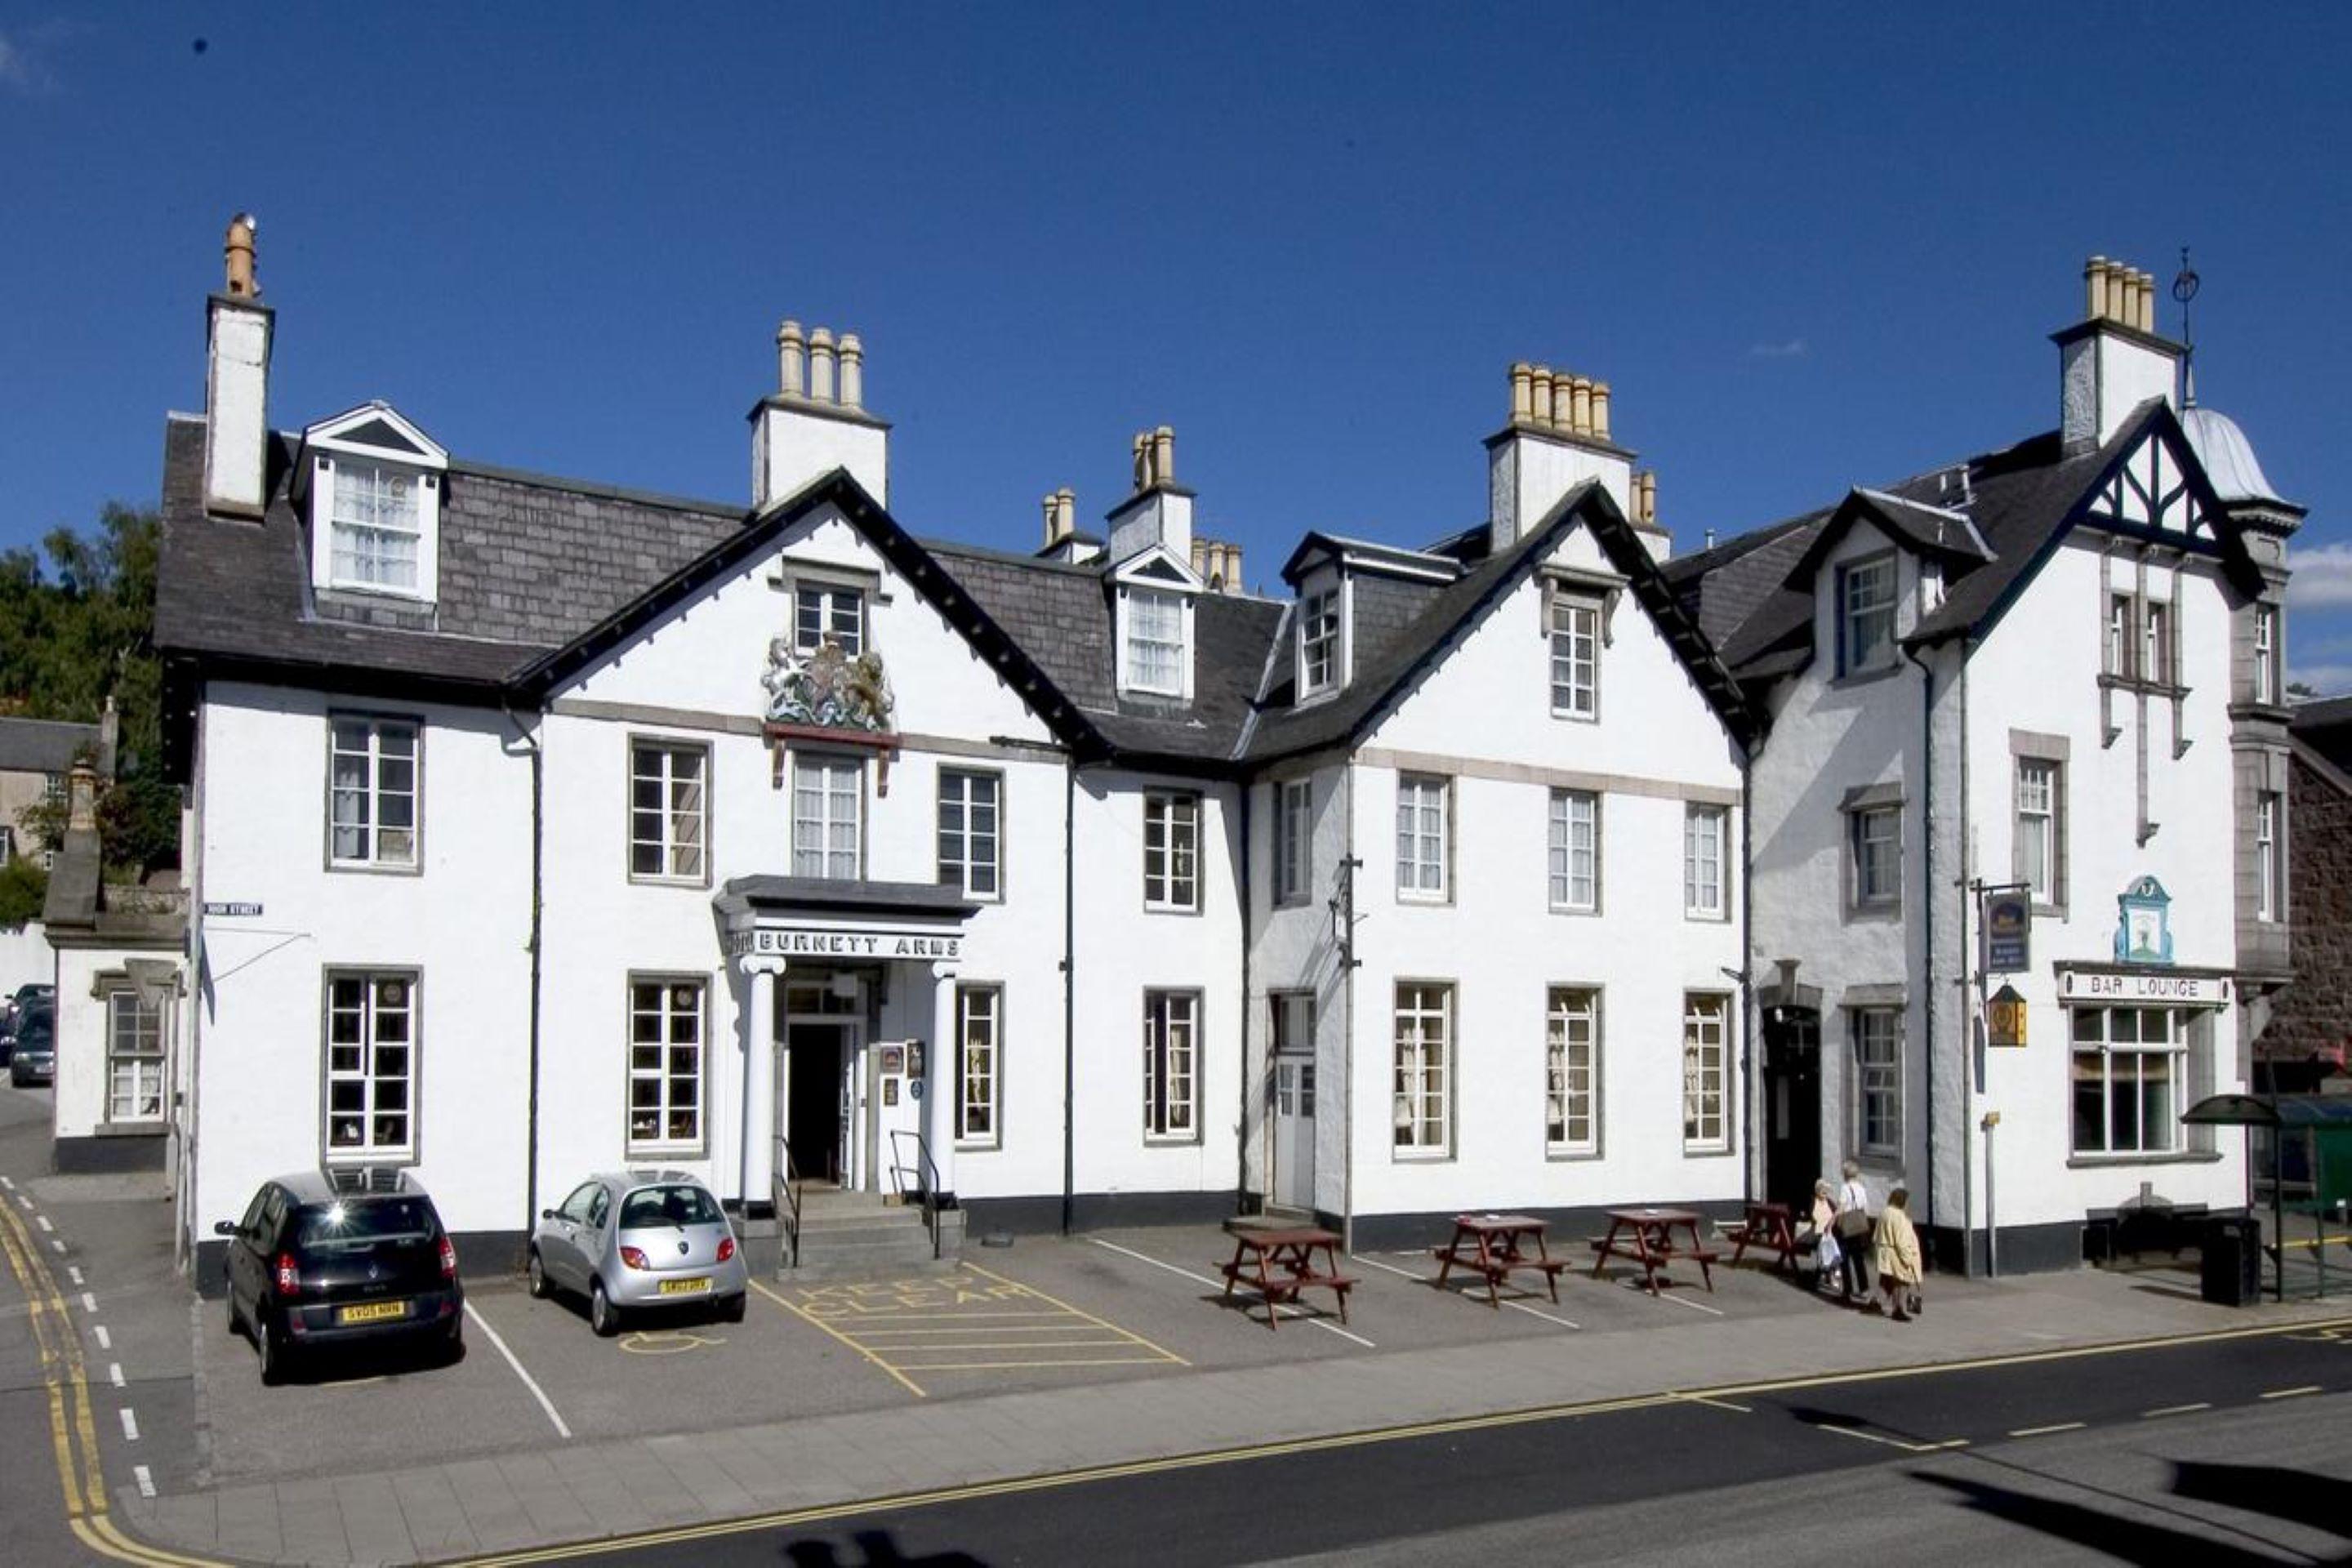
(1808, 246)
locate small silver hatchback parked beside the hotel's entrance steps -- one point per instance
(639, 1240)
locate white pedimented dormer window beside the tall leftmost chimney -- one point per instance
(373, 488)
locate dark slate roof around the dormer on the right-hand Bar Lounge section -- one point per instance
(1753, 594)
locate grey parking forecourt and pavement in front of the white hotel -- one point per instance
(1043, 1360)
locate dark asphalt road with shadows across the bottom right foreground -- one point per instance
(2231, 1452)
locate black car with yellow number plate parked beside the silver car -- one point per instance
(342, 1259)
